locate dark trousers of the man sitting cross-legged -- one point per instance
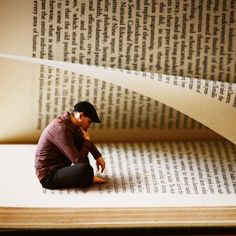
(78, 175)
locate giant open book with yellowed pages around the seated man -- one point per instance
(162, 77)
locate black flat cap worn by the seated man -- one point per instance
(88, 109)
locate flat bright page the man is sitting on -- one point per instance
(173, 174)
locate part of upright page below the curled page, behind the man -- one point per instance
(119, 122)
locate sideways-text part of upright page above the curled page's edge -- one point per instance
(192, 39)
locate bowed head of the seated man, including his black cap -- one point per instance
(85, 113)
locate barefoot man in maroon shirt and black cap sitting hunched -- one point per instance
(61, 158)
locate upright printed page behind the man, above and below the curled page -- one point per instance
(200, 45)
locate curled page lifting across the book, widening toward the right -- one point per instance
(212, 103)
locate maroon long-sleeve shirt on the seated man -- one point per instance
(61, 144)
